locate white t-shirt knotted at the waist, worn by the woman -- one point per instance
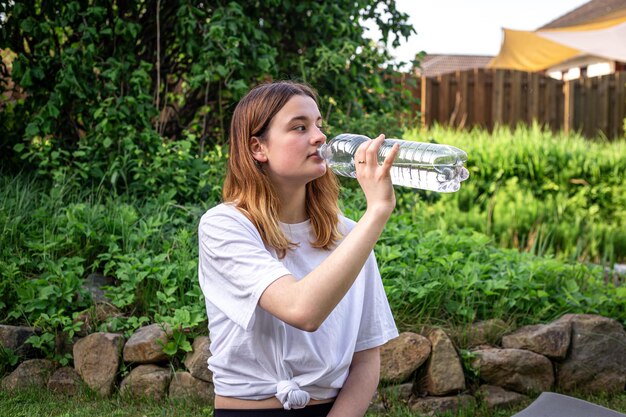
(254, 354)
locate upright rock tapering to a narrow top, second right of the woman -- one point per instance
(444, 372)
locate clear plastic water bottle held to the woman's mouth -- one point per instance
(427, 166)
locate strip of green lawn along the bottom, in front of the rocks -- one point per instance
(37, 402)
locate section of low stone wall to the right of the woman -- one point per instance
(576, 353)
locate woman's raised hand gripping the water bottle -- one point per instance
(375, 179)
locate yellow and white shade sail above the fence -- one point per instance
(541, 49)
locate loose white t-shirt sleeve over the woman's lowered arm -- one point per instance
(377, 325)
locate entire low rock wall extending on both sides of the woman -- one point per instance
(574, 353)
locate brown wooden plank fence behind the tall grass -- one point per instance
(486, 98)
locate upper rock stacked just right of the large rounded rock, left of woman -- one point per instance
(145, 345)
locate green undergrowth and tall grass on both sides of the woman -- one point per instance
(437, 265)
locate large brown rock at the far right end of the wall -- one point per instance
(596, 362)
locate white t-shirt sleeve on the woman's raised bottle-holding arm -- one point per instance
(234, 265)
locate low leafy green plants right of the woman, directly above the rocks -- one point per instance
(441, 277)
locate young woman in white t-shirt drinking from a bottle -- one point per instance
(296, 307)
